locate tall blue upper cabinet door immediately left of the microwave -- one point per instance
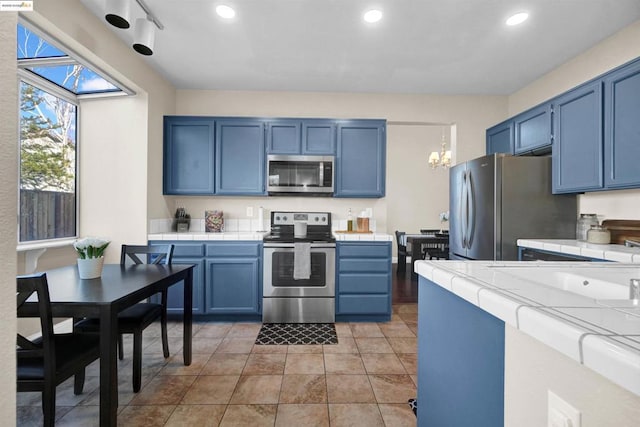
(240, 157)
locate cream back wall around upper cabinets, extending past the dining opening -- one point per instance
(415, 194)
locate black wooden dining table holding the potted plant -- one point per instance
(119, 287)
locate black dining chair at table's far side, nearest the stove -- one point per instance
(136, 318)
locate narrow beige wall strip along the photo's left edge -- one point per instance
(8, 213)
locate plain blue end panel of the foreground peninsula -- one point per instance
(461, 361)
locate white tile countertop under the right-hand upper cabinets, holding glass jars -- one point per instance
(618, 253)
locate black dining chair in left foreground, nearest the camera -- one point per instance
(48, 360)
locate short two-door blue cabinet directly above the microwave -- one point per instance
(304, 137)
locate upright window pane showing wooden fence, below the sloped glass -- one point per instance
(47, 165)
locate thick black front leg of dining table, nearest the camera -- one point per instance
(108, 367)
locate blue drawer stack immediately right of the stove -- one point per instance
(363, 289)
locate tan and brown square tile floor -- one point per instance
(364, 380)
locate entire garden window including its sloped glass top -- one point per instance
(52, 83)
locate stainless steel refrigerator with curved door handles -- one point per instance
(497, 199)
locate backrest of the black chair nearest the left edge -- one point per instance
(27, 286)
